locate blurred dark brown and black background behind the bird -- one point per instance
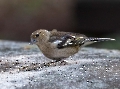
(95, 18)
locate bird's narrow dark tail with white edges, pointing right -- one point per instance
(91, 40)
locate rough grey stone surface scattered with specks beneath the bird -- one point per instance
(23, 66)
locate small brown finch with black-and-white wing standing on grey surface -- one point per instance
(57, 45)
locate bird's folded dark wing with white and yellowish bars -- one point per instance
(66, 39)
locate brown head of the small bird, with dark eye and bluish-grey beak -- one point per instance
(40, 36)
